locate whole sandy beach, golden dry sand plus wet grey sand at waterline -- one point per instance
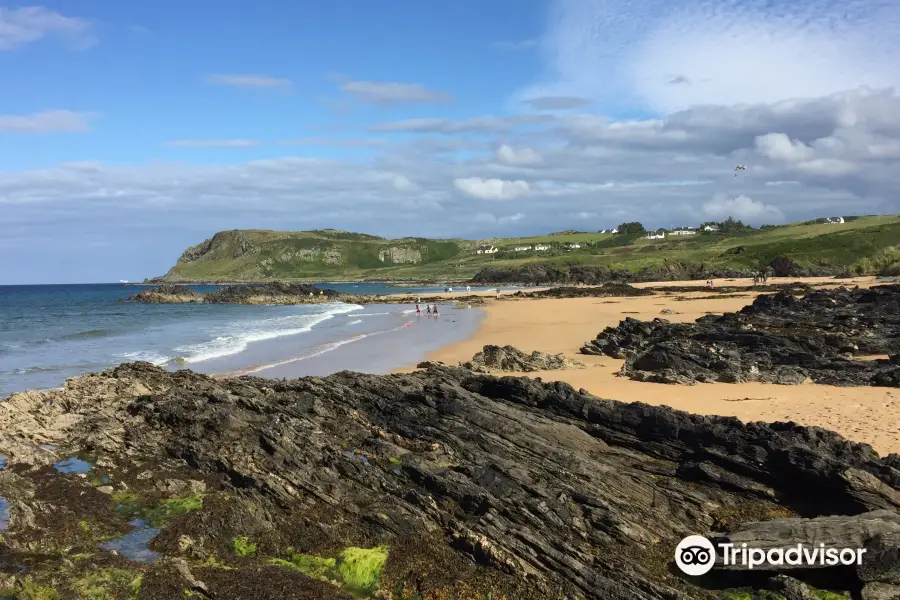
(563, 325)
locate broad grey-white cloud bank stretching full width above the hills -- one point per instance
(678, 169)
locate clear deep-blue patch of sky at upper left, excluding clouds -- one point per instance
(148, 74)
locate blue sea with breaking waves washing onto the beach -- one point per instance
(49, 333)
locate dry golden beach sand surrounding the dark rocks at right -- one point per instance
(863, 414)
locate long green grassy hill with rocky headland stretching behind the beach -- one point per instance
(258, 255)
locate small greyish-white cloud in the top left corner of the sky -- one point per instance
(28, 24)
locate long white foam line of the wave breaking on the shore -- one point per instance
(245, 333)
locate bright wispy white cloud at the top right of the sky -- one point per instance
(671, 56)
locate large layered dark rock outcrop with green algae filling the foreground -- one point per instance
(442, 483)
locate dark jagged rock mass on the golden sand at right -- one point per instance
(776, 339)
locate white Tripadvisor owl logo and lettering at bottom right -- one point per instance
(695, 555)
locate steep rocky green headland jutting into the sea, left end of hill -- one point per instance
(260, 255)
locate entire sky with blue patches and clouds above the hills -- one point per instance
(130, 131)
